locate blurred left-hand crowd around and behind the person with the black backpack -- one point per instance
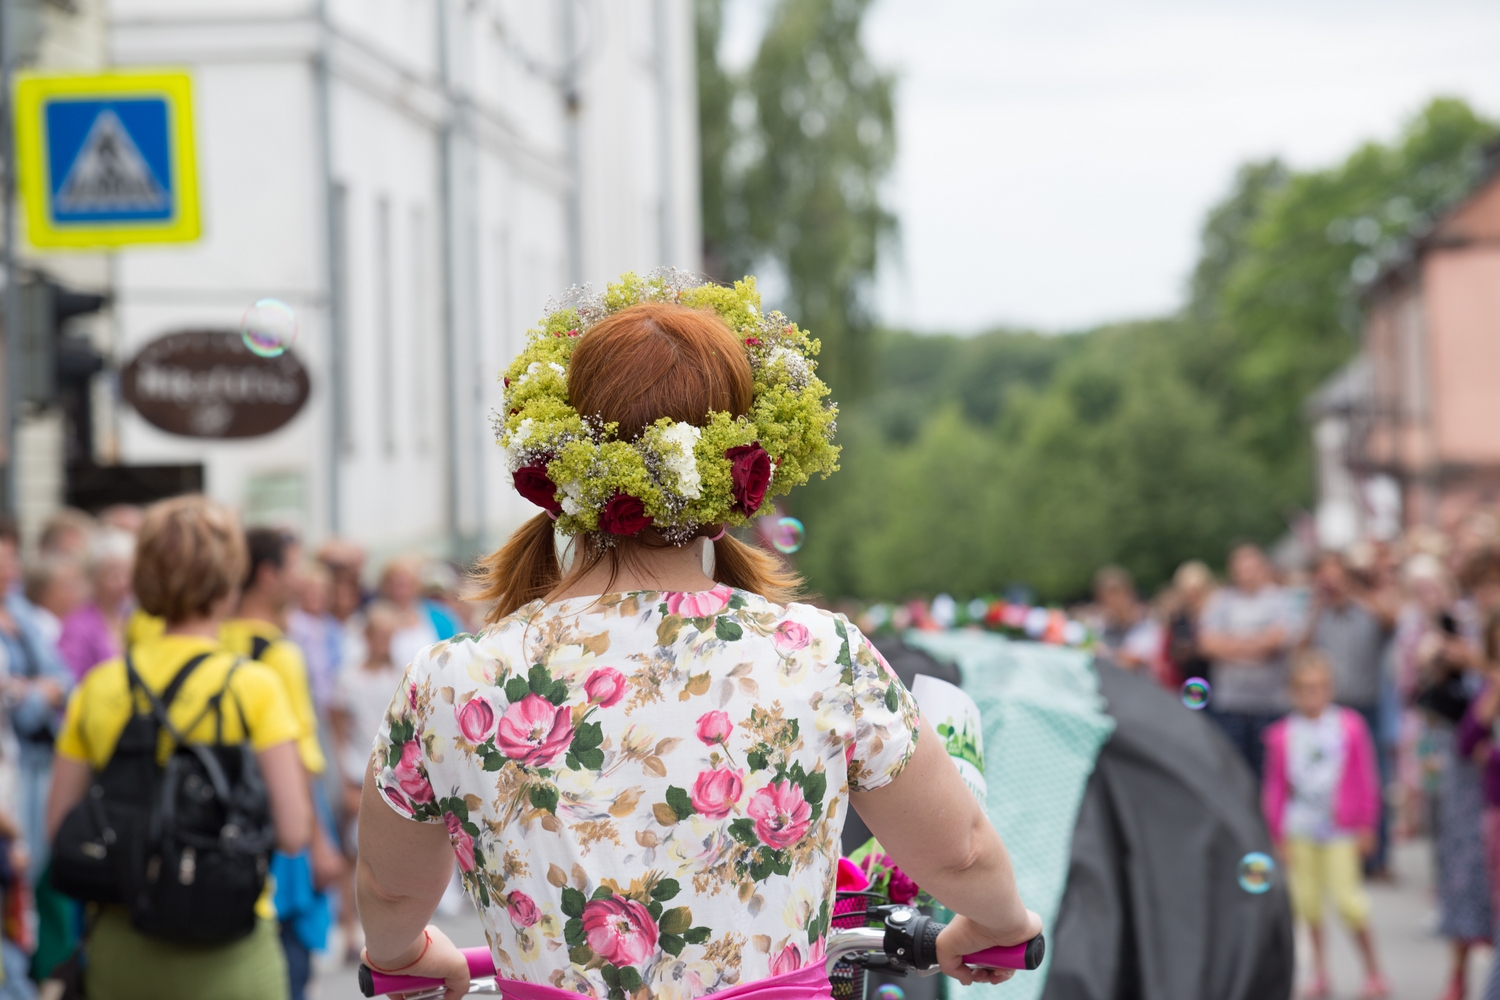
(328, 617)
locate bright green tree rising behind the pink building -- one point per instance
(1289, 305)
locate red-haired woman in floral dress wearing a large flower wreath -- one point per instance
(644, 764)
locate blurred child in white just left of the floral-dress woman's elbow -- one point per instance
(361, 696)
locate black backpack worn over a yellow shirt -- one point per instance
(185, 846)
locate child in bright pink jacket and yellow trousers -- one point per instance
(1322, 801)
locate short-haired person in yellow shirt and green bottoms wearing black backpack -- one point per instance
(190, 563)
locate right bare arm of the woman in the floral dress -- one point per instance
(935, 830)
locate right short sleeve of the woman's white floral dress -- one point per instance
(886, 714)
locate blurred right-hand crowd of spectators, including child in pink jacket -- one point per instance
(1390, 648)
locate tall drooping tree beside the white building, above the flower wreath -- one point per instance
(794, 157)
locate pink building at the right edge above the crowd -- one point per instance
(1414, 424)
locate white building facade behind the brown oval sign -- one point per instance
(416, 179)
